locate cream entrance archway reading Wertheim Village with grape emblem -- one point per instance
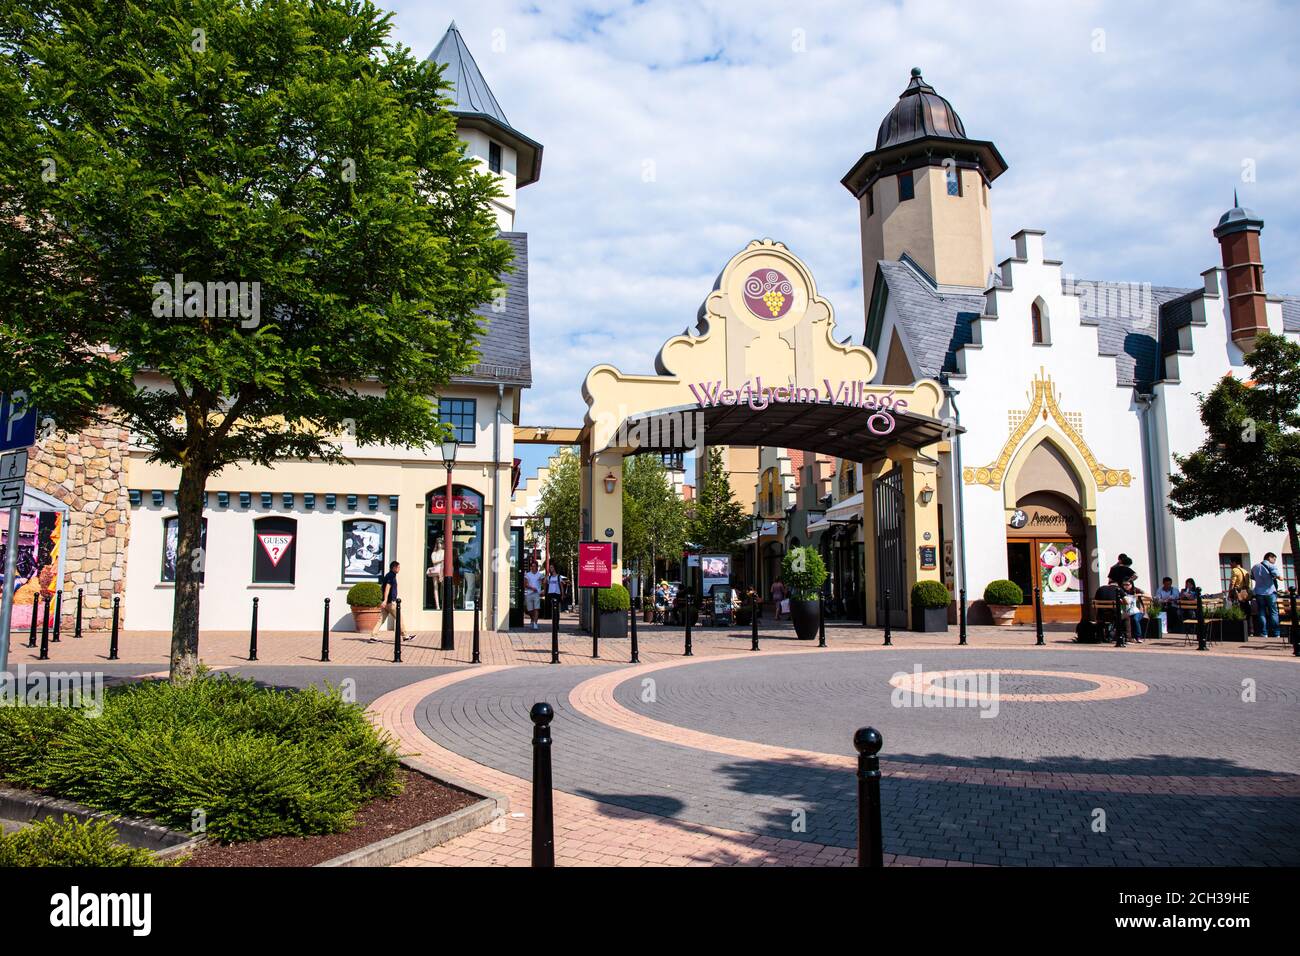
(764, 367)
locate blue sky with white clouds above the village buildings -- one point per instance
(678, 132)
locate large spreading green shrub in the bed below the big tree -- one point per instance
(258, 763)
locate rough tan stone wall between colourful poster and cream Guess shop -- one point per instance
(88, 471)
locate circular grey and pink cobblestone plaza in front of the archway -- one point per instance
(756, 747)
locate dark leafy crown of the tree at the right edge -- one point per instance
(1251, 457)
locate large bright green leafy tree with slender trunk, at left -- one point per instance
(287, 144)
